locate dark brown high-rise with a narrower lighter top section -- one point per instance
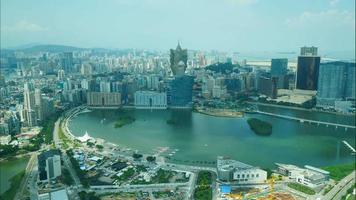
(308, 69)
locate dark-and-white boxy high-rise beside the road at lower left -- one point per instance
(49, 165)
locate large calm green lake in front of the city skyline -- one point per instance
(202, 138)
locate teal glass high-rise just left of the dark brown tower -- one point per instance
(279, 69)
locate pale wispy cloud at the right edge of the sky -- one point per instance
(330, 18)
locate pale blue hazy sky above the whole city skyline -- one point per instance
(232, 25)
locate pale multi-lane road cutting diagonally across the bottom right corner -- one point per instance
(340, 189)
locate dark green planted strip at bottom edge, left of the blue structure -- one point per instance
(203, 190)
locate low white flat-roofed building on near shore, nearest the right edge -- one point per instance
(308, 176)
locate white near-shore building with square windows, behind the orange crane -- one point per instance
(234, 171)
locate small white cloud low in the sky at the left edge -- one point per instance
(24, 26)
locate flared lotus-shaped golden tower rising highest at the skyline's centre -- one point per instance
(178, 59)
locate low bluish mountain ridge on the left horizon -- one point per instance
(51, 48)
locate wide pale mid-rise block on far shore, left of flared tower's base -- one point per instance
(150, 100)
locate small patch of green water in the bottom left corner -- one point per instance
(9, 169)
